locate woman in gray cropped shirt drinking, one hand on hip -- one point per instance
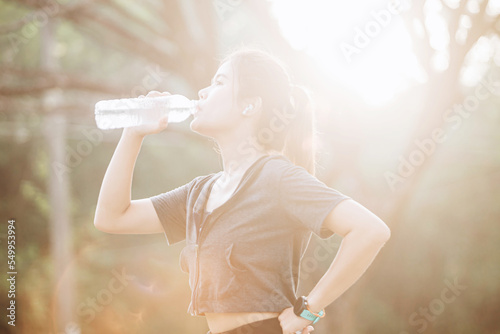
(247, 227)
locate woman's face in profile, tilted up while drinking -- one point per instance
(217, 110)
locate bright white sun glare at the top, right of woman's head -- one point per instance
(365, 48)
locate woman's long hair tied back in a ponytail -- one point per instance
(286, 123)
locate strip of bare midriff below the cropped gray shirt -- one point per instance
(221, 322)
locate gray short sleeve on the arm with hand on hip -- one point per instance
(307, 200)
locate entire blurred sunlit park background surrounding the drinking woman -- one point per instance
(408, 115)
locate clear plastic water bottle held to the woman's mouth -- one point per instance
(123, 113)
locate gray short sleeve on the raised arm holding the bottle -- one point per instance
(171, 210)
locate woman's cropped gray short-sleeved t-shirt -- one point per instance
(245, 255)
